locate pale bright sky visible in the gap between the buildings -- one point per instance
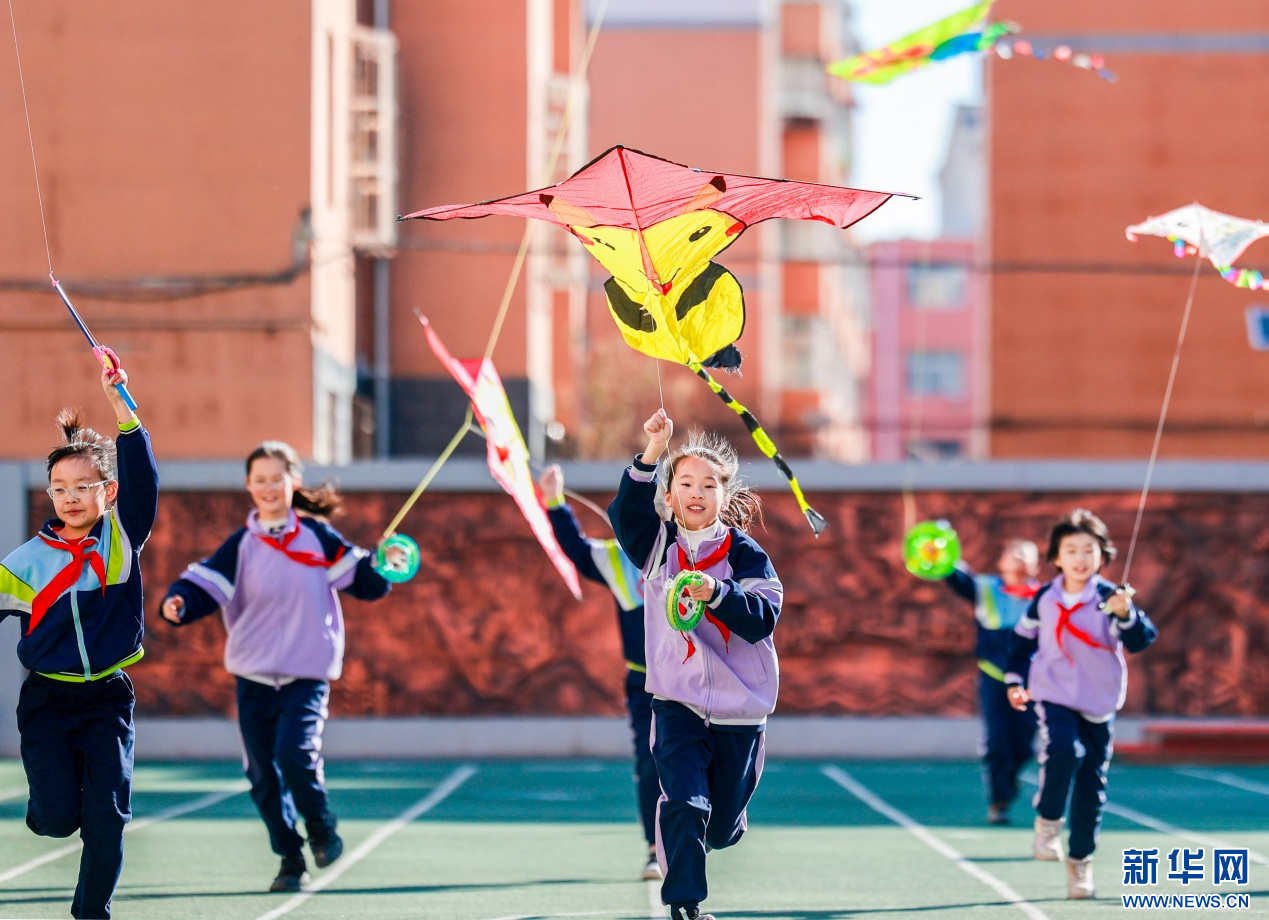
(902, 130)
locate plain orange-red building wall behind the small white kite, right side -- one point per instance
(1084, 323)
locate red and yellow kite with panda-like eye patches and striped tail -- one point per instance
(657, 225)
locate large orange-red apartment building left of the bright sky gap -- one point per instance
(230, 227)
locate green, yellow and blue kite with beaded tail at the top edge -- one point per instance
(961, 34)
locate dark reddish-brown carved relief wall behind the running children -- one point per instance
(489, 629)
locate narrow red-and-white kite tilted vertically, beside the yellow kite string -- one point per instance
(507, 452)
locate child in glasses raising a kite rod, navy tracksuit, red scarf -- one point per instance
(77, 589)
